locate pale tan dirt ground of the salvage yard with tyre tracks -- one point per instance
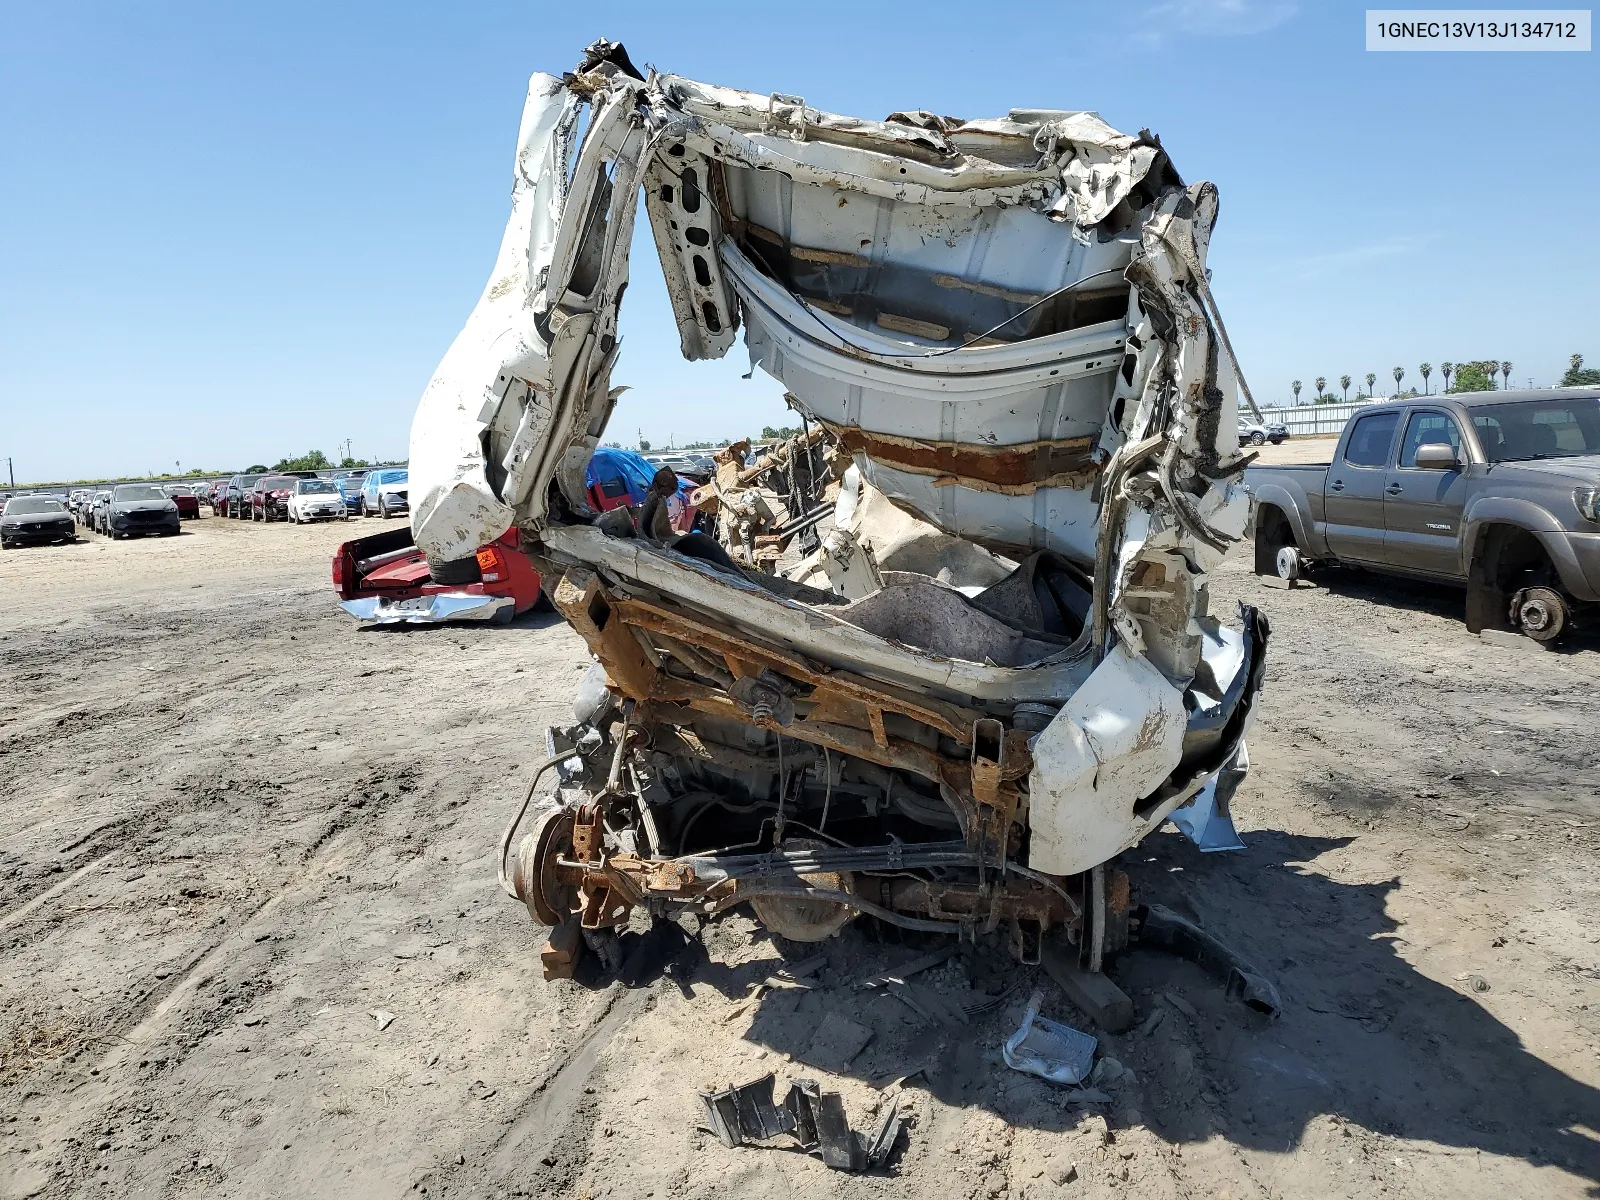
(252, 940)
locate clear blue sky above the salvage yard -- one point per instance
(233, 233)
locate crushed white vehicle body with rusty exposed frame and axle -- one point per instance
(991, 666)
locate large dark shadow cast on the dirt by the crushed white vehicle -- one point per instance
(1364, 1039)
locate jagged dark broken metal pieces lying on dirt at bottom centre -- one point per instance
(814, 1118)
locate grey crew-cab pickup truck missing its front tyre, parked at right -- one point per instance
(1494, 490)
